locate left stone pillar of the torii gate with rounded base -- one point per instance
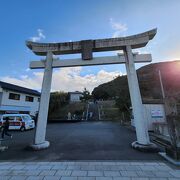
(40, 142)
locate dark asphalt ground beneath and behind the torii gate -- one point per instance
(94, 140)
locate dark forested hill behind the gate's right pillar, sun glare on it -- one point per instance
(148, 80)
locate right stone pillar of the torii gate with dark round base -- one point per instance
(136, 101)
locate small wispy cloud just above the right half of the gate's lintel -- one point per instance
(118, 27)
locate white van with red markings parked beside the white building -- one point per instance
(20, 122)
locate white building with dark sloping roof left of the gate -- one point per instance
(17, 99)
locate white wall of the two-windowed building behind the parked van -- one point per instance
(34, 106)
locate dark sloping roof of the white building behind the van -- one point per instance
(19, 89)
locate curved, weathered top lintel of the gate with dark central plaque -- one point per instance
(86, 47)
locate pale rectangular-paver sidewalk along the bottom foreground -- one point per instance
(88, 170)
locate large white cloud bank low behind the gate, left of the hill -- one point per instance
(66, 79)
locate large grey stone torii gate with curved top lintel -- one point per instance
(86, 48)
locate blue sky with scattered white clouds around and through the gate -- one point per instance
(71, 20)
